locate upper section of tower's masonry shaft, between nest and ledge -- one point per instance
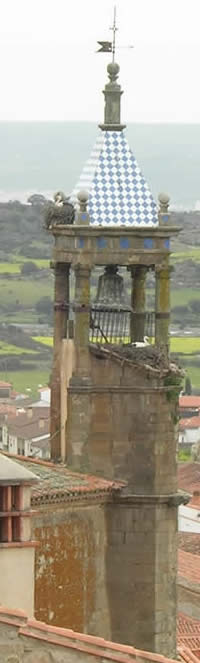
(123, 427)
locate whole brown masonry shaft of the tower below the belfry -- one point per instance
(123, 427)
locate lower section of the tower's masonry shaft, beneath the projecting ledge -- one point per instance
(142, 540)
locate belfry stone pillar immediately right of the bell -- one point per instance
(138, 275)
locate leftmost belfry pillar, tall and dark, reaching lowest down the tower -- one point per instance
(61, 302)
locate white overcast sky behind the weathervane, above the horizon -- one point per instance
(50, 69)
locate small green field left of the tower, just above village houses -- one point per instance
(22, 381)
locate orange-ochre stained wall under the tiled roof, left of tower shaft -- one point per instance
(70, 580)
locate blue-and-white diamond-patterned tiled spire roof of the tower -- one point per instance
(118, 193)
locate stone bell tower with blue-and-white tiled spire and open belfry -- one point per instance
(121, 394)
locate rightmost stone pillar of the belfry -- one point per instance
(162, 305)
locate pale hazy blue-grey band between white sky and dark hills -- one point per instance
(43, 157)
